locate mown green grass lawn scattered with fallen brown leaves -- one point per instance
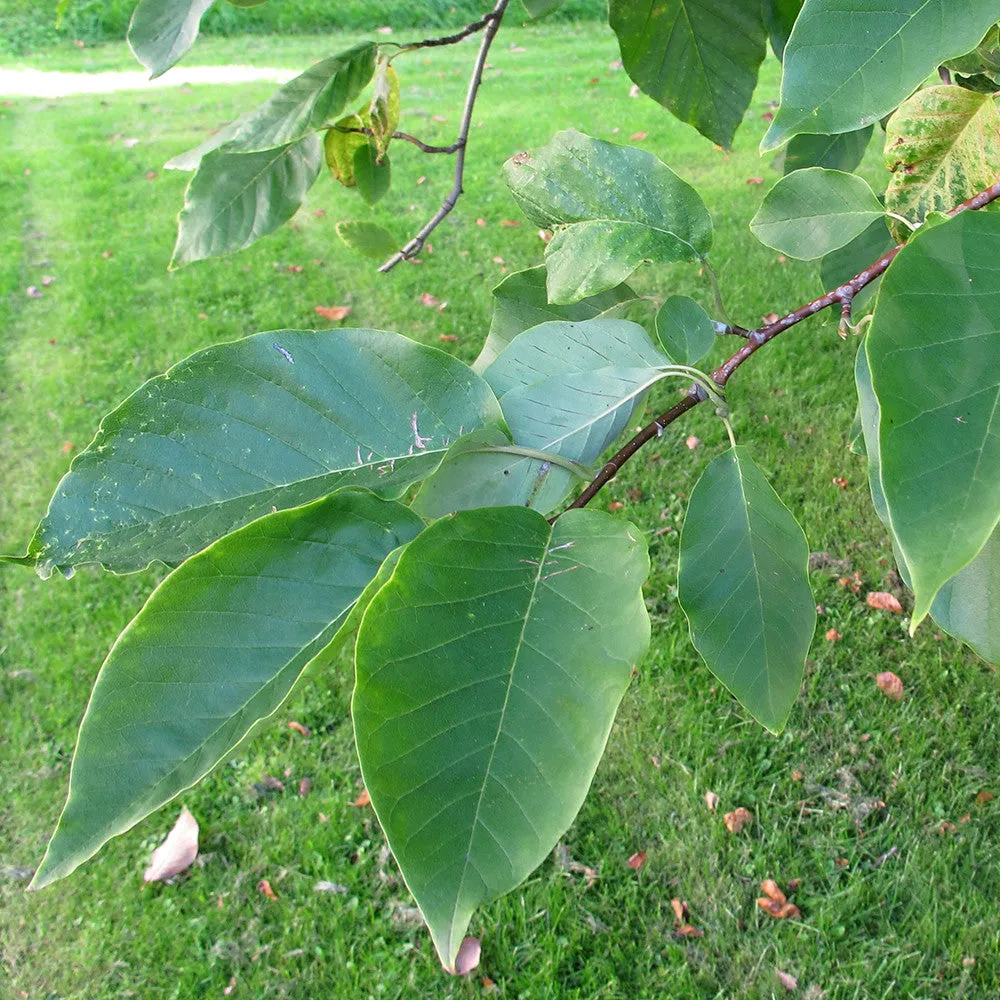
(895, 902)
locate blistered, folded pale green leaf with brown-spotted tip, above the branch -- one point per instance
(610, 207)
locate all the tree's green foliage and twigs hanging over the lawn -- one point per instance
(311, 492)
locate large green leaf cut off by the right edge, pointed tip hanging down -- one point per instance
(934, 348)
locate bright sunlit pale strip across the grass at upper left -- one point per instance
(39, 83)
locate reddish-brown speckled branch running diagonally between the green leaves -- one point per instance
(842, 296)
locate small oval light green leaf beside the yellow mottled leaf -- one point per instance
(811, 212)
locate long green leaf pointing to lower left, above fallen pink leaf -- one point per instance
(216, 649)
